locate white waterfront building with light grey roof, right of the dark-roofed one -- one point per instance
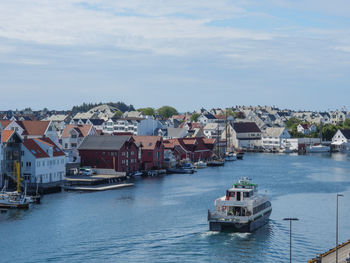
(273, 138)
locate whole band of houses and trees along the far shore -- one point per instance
(47, 142)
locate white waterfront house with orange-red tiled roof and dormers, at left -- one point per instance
(42, 161)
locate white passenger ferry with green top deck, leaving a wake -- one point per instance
(241, 210)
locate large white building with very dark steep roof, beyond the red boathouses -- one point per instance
(246, 135)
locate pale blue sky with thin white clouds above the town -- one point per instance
(184, 53)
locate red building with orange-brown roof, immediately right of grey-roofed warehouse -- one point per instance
(152, 151)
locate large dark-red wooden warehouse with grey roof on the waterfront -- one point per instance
(110, 152)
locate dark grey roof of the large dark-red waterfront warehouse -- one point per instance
(104, 142)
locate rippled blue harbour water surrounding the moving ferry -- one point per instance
(165, 219)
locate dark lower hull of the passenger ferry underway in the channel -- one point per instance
(238, 227)
